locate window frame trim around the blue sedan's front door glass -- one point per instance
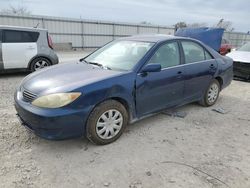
(159, 46)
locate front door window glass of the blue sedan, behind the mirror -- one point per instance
(167, 55)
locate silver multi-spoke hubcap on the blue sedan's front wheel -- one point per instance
(109, 124)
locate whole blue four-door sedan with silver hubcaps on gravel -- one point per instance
(120, 83)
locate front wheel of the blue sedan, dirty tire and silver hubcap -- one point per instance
(107, 116)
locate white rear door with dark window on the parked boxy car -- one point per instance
(18, 48)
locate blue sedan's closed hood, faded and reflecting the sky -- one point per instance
(65, 77)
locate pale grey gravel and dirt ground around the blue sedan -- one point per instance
(204, 149)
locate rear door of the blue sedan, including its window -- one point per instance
(200, 68)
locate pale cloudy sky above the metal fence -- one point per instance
(163, 12)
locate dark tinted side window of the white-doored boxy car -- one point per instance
(13, 36)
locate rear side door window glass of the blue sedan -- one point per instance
(193, 52)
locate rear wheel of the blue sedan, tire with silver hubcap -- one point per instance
(212, 94)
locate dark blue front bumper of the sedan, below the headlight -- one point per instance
(53, 124)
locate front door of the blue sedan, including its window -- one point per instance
(158, 90)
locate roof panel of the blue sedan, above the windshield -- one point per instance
(151, 37)
